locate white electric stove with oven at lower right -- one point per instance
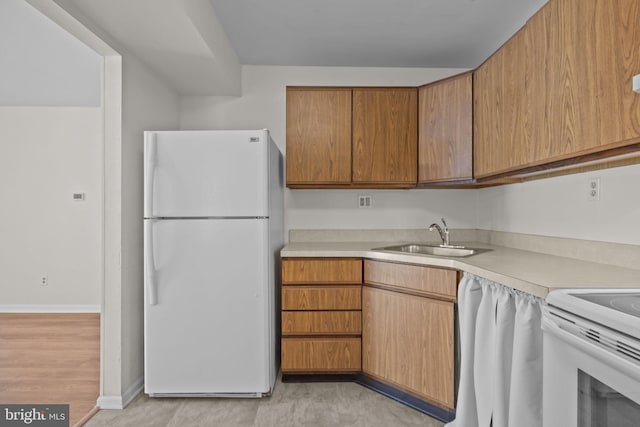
(592, 358)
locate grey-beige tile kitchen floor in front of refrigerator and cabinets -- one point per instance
(291, 405)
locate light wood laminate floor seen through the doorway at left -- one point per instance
(51, 358)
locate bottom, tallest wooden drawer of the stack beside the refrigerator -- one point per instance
(321, 355)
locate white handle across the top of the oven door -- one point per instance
(592, 348)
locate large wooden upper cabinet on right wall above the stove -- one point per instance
(559, 91)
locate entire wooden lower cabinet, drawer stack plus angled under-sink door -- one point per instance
(397, 329)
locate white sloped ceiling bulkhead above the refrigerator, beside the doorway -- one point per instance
(180, 40)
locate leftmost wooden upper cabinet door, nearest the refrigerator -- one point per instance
(318, 136)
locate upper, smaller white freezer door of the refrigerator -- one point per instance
(206, 173)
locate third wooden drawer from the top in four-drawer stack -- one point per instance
(321, 322)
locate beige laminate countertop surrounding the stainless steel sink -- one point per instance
(531, 272)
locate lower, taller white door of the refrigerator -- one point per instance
(209, 323)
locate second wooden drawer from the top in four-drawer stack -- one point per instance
(321, 297)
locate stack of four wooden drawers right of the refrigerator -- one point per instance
(321, 315)
